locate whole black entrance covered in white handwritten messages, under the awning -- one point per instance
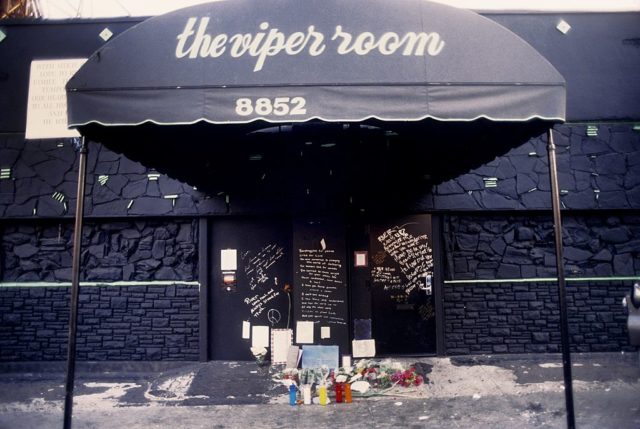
(392, 293)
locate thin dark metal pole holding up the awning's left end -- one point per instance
(75, 286)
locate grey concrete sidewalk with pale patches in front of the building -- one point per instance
(524, 391)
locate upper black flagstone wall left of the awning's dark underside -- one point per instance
(43, 184)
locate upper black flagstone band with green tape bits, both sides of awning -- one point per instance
(599, 169)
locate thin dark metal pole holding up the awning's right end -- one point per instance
(564, 322)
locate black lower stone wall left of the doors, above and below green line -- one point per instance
(143, 322)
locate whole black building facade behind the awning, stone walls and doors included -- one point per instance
(339, 206)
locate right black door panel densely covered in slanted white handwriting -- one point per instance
(400, 284)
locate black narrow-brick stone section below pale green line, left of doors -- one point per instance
(114, 323)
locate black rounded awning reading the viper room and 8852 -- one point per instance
(284, 61)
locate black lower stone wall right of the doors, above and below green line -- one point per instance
(524, 317)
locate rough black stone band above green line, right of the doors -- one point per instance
(514, 246)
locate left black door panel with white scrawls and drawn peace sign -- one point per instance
(264, 261)
